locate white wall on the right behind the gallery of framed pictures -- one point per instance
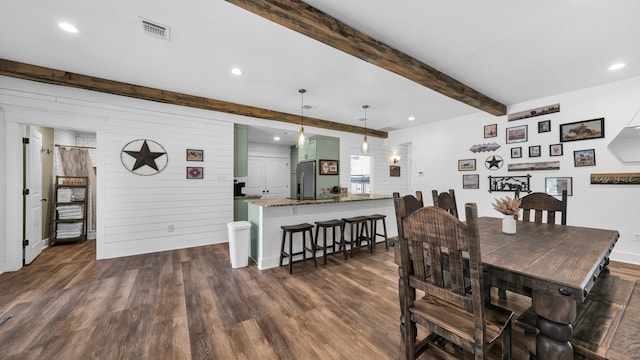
(443, 143)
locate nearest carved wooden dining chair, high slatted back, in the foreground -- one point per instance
(449, 310)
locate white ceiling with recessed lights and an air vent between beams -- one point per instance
(512, 51)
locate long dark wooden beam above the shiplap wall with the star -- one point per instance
(63, 78)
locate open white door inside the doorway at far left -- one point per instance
(33, 200)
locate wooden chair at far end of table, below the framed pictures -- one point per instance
(537, 204)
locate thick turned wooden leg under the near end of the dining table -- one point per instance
(555, 316)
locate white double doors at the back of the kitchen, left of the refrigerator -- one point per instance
(268, 177)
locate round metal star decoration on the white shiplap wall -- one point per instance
(144, 157)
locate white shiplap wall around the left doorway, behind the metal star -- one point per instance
(134, 212)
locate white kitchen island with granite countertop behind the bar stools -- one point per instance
(267, 215)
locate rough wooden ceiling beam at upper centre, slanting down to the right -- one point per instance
(307, 20)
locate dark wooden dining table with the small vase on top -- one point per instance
(555, 265)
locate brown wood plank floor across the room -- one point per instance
(190, 303)
